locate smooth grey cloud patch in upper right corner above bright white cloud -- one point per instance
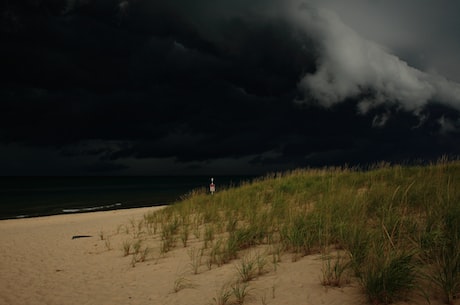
(424, 33)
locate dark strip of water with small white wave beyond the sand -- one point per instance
(39, 196)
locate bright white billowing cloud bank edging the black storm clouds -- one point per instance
(351, 66)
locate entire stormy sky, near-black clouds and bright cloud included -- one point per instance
(146, 87)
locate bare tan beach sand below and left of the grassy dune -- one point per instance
(41, 264)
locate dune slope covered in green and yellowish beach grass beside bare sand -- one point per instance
(395, 229)
